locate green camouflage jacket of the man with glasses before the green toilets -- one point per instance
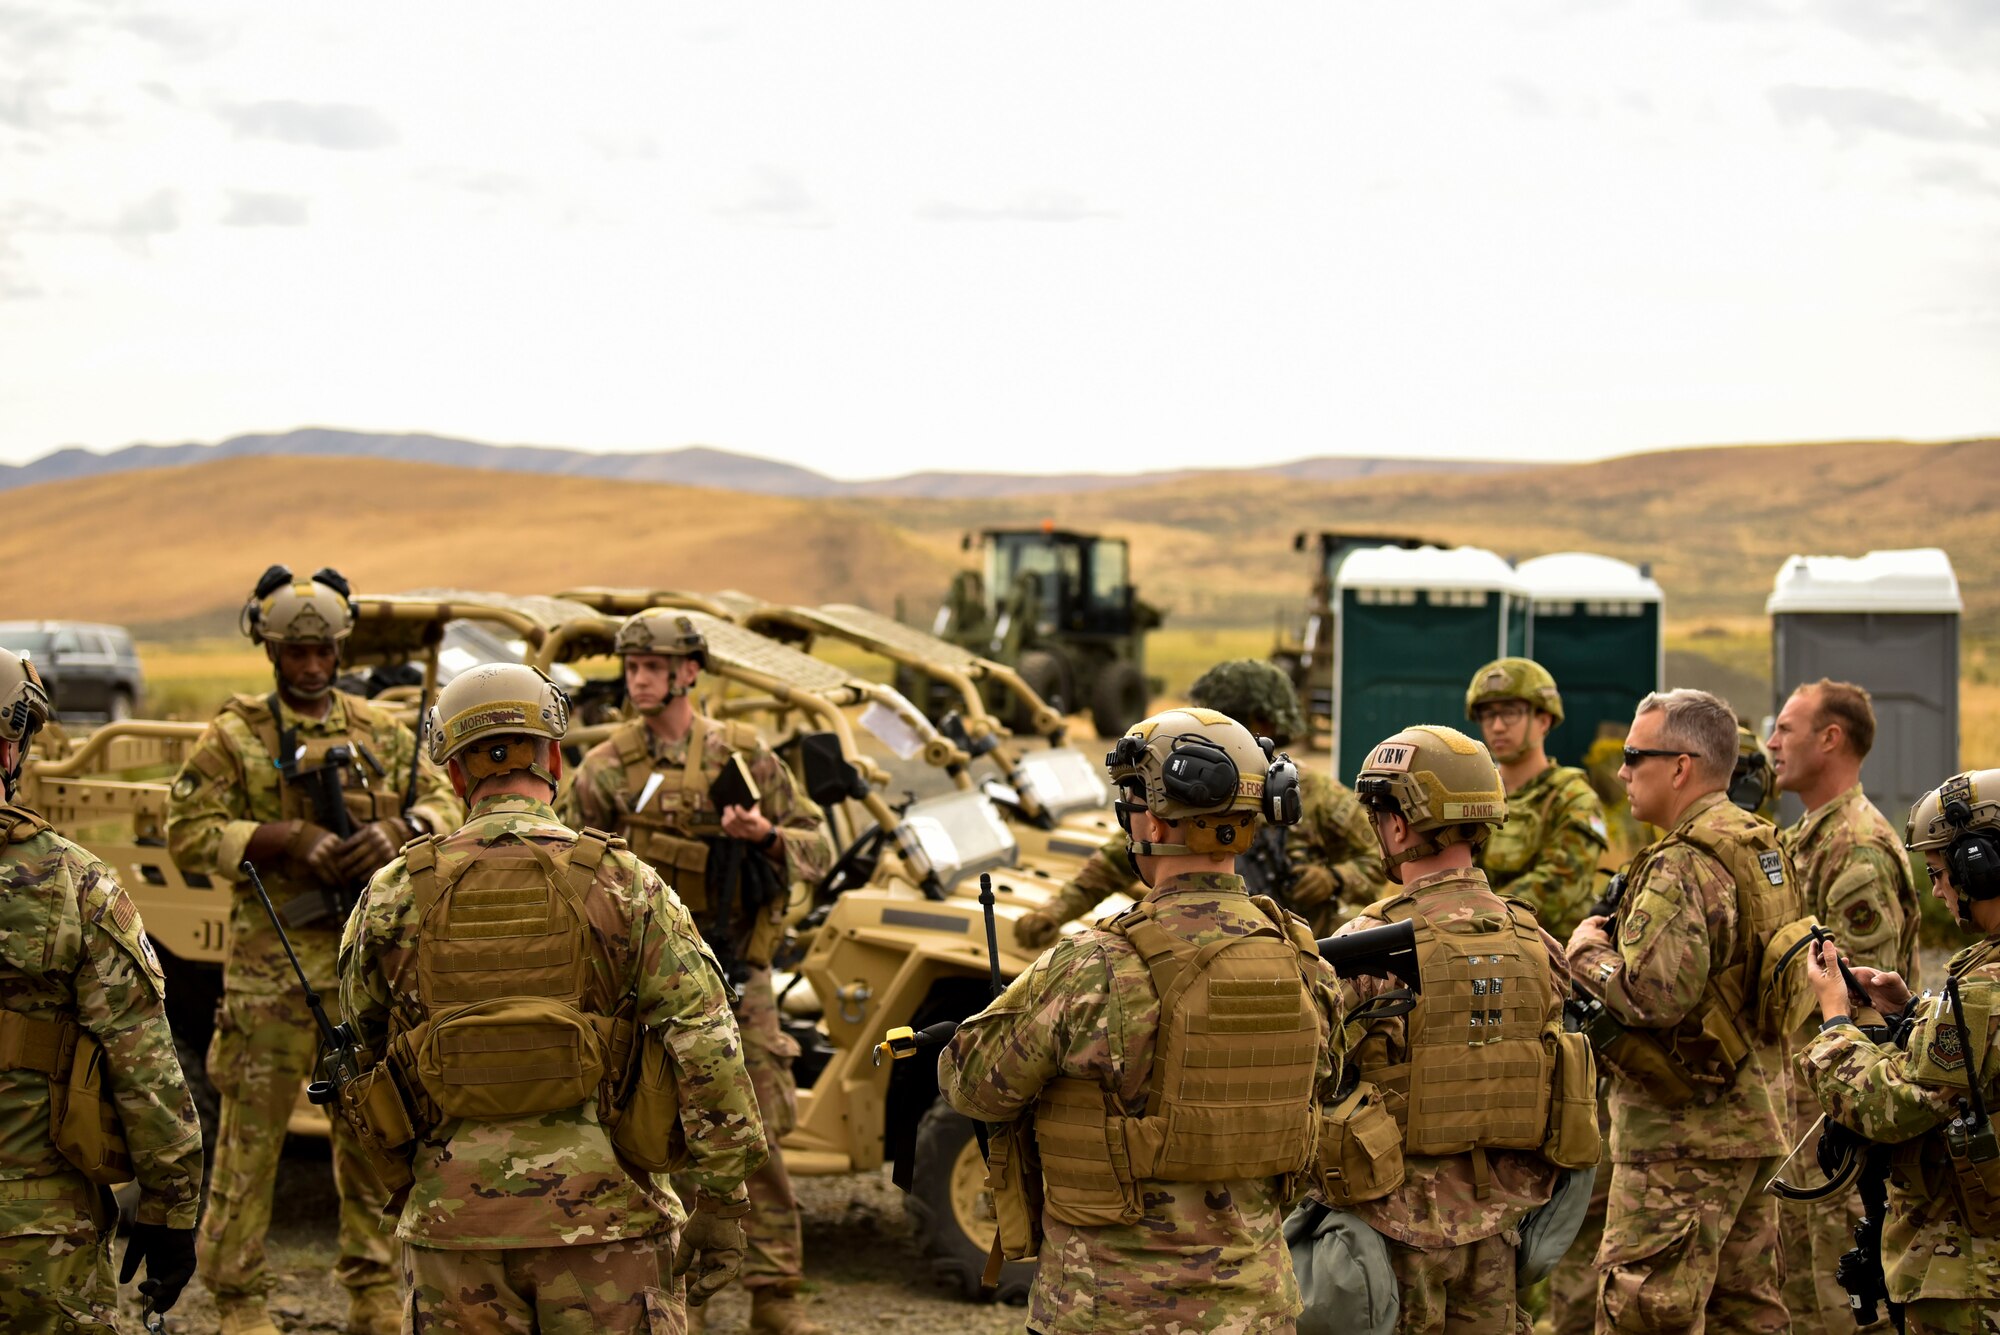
(1549, 848)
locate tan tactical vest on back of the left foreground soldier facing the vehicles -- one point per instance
(513, 1020)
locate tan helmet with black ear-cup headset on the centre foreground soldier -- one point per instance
(1205, 770)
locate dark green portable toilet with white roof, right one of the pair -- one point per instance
(1597, 625)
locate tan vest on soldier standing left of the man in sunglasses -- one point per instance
(1481, 1056)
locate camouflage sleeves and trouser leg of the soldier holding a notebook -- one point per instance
(601, 800)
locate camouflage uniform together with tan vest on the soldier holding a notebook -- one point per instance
(677, 828)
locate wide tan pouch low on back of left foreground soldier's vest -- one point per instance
(509, 1058)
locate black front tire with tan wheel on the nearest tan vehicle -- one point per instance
(951, 1210)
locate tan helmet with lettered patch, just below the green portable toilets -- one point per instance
(1441, 782)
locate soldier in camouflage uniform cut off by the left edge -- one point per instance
(77, 968)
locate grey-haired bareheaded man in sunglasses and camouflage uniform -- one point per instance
(1691, 1240)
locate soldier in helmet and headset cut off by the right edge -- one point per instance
(1941, 1240)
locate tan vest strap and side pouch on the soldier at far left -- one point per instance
(83, 1118)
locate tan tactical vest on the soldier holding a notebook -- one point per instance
(669, 832)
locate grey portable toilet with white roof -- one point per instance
(1889, 623)
